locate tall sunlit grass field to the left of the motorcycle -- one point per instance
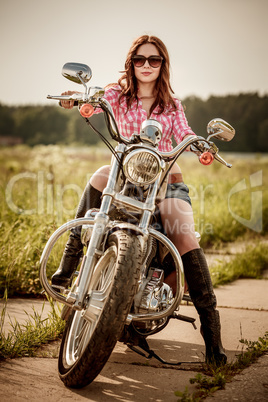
(49, 181)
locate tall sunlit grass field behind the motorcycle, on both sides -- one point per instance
(41, 187)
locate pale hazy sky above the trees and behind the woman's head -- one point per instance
(216, 47)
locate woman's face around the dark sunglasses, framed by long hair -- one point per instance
(146, 73)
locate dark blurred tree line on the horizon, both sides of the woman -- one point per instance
(246, 112)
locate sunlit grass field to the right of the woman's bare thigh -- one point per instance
(216, 209)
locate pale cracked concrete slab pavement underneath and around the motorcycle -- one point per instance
(128, 376)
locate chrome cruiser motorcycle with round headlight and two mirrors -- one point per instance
(119, 293)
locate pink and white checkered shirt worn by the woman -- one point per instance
(129, 122)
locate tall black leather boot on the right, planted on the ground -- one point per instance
(201, 291)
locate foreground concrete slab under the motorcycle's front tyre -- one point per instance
(35, 379)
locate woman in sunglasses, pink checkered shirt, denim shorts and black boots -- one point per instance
(142, 92)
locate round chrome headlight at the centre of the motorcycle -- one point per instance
(142, 167)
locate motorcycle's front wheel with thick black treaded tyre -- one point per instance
(90, 336)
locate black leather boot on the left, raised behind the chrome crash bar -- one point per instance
(73, 251)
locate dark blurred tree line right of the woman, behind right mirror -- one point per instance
(246, 112)
